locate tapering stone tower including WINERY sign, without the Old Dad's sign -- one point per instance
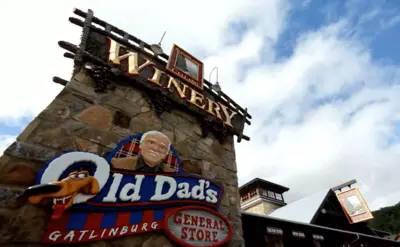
(120, 88)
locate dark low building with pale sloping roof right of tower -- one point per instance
(316, 220)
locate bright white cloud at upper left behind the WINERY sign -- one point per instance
(33, 56)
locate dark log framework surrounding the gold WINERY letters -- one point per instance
(107, 76)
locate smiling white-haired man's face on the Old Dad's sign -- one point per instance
(154, 149)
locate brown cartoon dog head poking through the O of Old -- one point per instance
(62, 193)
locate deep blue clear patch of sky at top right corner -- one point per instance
(374, 22)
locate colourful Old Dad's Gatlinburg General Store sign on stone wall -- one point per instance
(129, 192)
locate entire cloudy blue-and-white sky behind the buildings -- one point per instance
(320, 78)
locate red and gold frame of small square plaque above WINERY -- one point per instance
(197, 82)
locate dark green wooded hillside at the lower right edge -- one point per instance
(387, 219)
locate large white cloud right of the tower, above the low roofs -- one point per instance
(309, 148)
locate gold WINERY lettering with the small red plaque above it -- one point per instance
(139, 65)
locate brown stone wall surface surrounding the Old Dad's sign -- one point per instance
(80, 119)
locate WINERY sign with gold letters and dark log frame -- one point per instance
(170, 82)
